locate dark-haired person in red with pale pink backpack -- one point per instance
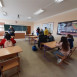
(7, 41)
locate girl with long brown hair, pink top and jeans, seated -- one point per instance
(64, 48)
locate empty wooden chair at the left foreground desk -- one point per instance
(9, 64)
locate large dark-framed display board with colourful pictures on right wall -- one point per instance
(69, 27)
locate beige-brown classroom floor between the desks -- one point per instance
(34, 64)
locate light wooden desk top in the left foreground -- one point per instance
(9, 51)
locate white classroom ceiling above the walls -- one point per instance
(26, 8)
